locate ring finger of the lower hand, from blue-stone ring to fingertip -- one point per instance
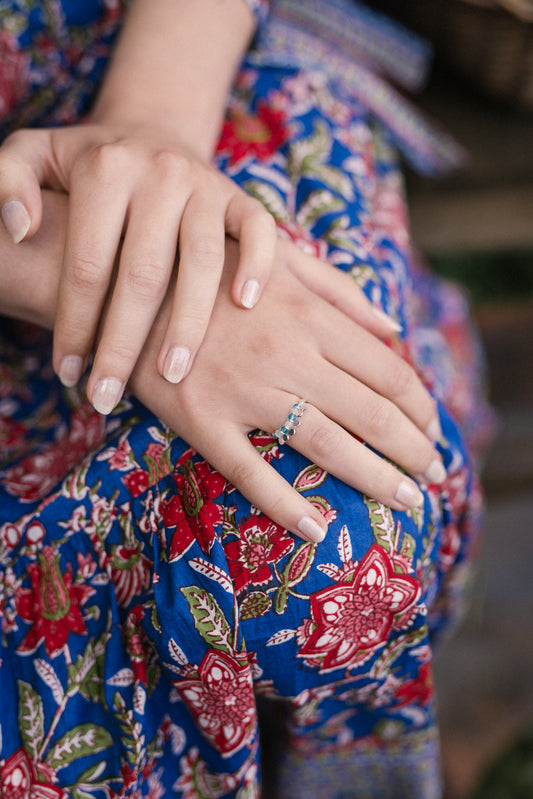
(330, 446)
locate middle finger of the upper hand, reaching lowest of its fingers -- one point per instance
(147, 257)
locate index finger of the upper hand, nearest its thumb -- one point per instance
(98, 205)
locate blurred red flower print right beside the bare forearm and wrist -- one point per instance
(257, 135)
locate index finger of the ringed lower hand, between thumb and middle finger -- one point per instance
(373, 363)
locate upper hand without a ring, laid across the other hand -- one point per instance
(141, 186)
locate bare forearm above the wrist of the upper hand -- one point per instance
(174, 65)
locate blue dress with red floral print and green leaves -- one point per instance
(154, 623)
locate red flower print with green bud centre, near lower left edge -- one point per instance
(52, 605)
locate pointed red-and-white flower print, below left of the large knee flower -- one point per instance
(221, 700)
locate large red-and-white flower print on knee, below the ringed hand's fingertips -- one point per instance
(351, 620)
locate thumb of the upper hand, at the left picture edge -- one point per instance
(24, 160)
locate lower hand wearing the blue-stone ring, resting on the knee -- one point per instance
(252, 367)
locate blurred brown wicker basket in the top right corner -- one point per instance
(488, 42)
